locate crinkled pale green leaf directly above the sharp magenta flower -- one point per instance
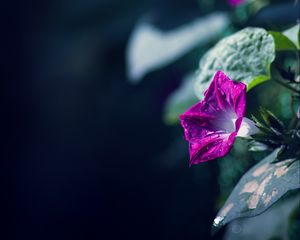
(244, 56)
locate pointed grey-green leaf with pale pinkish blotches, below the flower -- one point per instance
(259, 188)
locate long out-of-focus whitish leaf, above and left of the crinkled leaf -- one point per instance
(150, 49)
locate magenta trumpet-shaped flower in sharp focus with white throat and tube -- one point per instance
(212, 125)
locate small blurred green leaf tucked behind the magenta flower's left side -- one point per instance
(180, 100)
